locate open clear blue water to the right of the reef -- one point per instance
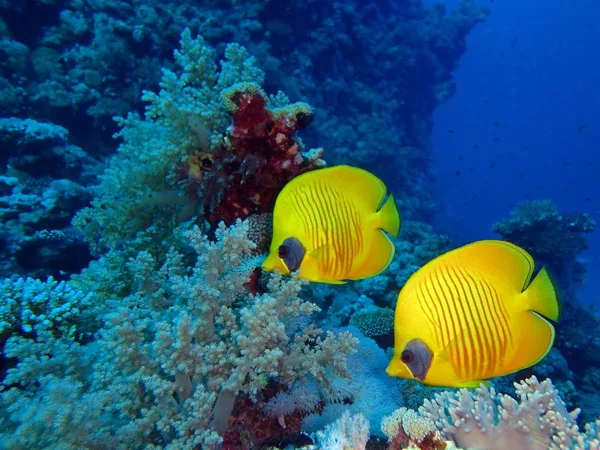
(527, 86)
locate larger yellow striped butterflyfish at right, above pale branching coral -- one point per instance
(472, 314)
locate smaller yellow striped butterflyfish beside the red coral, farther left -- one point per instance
(328, 224)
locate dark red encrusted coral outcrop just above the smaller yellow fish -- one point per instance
(260, 155)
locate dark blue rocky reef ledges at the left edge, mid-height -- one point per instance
(43, 183)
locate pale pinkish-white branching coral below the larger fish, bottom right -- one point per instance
(538, 420)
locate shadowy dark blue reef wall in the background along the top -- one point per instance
(374, 73)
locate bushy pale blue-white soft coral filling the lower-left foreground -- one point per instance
(185, 345)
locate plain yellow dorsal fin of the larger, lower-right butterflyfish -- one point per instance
(500, 260)
